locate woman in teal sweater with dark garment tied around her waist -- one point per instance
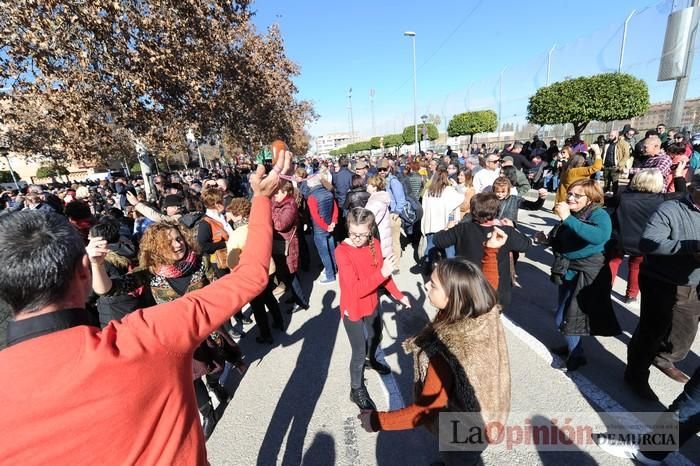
(579, 268)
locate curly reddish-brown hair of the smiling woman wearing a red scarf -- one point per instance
(156, 249)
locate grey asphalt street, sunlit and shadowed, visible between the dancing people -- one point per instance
(292, 405)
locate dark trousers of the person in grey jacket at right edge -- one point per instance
(668, 322)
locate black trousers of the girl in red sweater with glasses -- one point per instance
(362, 346)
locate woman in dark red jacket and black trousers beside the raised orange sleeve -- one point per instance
(285, 243)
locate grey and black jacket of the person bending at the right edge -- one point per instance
(671, 243)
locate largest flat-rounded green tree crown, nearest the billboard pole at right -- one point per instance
(603, 97)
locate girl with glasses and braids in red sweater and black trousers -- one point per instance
(362, 271)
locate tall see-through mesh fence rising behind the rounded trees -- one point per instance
(508, 89)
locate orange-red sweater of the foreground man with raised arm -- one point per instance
(123, 394)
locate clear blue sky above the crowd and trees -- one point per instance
(461, 49)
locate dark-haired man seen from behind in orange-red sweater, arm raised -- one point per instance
(73, 393)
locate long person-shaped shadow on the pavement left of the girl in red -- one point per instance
(297, 401)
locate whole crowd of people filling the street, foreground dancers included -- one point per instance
(103, 268)
